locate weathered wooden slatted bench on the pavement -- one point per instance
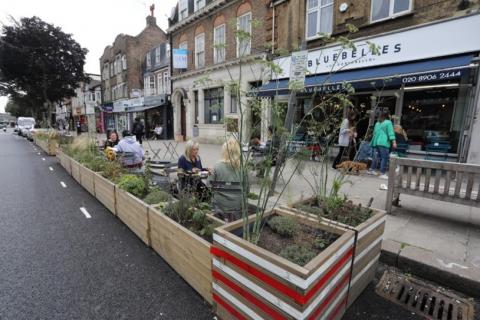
(444, 181)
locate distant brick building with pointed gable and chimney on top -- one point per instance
(122, 69)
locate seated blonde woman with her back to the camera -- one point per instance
(225, 180)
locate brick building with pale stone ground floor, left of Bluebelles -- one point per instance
(204, 93)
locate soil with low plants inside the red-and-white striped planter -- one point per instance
(304, 244)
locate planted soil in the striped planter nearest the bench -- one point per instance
(338, 209)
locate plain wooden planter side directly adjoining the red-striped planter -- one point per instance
(187, 253)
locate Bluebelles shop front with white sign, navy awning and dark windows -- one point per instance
(427, 86)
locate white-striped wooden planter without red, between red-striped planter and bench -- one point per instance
(368, 245)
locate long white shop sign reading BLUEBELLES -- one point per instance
(395, 47)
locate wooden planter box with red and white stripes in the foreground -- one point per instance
(252, 283)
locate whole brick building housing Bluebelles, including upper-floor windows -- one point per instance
(425, 73)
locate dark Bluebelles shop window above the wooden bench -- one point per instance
(432, 118)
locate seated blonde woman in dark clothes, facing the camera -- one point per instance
(189, 166)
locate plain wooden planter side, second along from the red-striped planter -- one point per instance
(134, 213)
